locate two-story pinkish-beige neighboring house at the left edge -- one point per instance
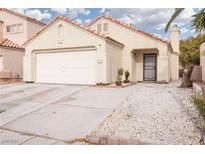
(15, 29)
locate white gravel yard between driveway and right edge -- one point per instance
(156, 114)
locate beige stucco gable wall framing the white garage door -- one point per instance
(72, 37)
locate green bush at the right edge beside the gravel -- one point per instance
(200, 104)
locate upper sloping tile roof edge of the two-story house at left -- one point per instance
(23, 16)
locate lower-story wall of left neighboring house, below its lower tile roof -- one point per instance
(12, 61)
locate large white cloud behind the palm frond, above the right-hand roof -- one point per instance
(146, 17)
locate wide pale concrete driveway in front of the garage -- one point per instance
(53, 114)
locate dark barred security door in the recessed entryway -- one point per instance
(150, 67)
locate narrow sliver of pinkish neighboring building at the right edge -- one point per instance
(202, 60)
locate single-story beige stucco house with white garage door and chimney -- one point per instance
(67, 52)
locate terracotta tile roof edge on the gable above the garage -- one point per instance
(76, 24)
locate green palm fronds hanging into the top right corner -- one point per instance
(198, 22)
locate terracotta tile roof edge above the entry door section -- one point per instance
(129, 27)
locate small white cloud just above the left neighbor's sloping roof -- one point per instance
(37, 14)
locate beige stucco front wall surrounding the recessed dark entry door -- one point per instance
(133, 40)
